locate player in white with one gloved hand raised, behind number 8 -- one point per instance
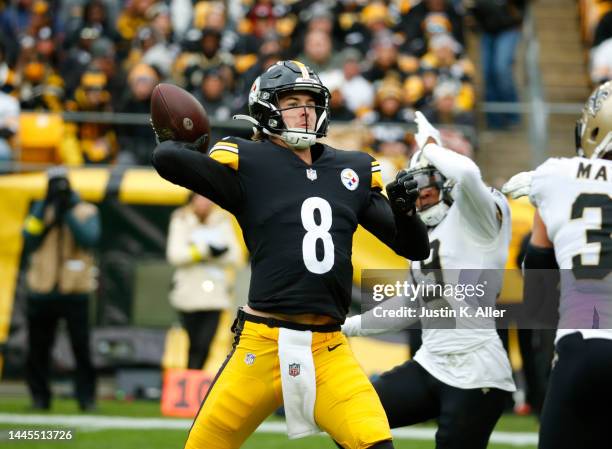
(459, 376)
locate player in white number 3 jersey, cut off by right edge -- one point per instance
(572, 230)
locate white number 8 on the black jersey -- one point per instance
(315, 232)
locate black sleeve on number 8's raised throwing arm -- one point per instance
(199, 173)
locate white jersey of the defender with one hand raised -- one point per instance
(471, 357)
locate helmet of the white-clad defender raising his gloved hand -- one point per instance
(430, 181)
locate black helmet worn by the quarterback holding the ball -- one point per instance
(264, 99)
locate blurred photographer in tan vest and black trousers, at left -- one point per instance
(60, 233)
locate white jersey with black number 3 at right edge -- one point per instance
(574, 199)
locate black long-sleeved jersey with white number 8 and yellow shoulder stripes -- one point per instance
(297, 219)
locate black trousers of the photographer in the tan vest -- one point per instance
(44, 315)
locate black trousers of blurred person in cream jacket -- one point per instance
(201, 327)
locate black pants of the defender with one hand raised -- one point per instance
(466, 418)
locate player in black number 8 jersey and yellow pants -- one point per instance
(298, 203)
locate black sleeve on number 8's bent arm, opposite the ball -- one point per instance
(406, 235)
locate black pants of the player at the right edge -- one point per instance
(577, 410)
